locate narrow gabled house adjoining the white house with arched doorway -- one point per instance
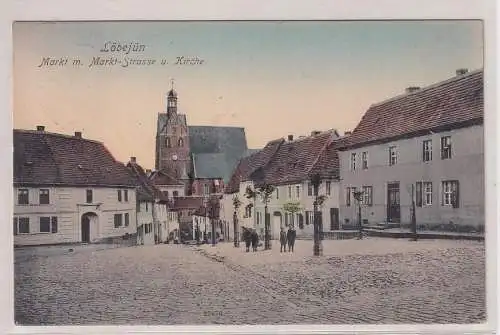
(156, 221)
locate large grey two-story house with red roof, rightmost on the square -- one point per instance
(426, 145)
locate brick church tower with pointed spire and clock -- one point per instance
(172, 140)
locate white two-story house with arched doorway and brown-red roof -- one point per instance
(68, 189)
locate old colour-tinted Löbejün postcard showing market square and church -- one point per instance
(174, 173)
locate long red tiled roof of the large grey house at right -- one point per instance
(450, 104)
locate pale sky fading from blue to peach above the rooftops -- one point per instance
(272, 78)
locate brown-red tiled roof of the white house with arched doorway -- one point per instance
(43, 158)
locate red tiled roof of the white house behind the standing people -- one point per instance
(294, 161)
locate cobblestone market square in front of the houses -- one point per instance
(370, 281)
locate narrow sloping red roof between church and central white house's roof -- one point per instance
(247, 165)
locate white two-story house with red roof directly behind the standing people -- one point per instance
(290, 172)
